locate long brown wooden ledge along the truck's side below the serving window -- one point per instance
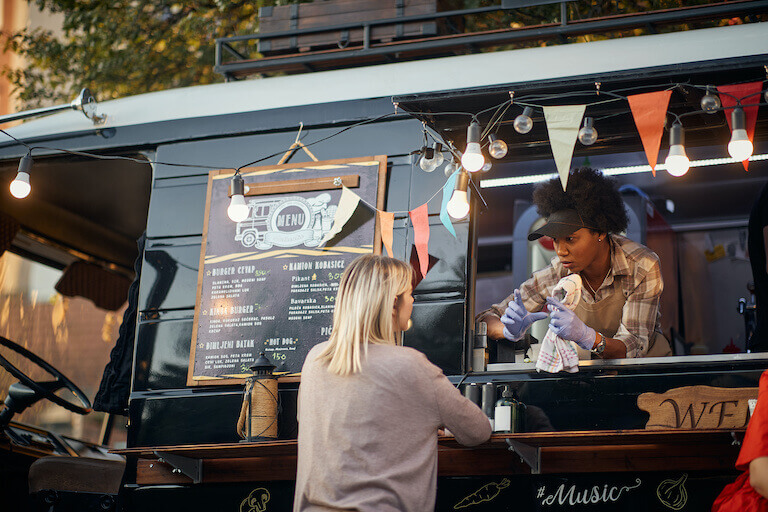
(554, 452)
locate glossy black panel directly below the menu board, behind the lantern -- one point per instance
(204, 416)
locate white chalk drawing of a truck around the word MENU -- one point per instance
(286, 222)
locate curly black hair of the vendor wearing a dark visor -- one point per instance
(594, 196)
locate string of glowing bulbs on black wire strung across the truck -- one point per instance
(472, 159)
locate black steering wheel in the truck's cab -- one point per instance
(45, 389)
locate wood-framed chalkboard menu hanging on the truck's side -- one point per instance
(268, 283)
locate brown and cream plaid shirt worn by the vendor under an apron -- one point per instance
(635, 272)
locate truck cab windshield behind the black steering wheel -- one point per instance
(70, 333)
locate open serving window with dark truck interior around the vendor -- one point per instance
(696, 223)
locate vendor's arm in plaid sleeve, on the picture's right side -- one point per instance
(640, 315)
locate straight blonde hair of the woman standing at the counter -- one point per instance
(363, 313)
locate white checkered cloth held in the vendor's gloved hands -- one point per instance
(557, 354)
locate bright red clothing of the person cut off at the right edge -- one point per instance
(739, 496)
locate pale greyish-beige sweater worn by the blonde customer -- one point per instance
(368, 441)
